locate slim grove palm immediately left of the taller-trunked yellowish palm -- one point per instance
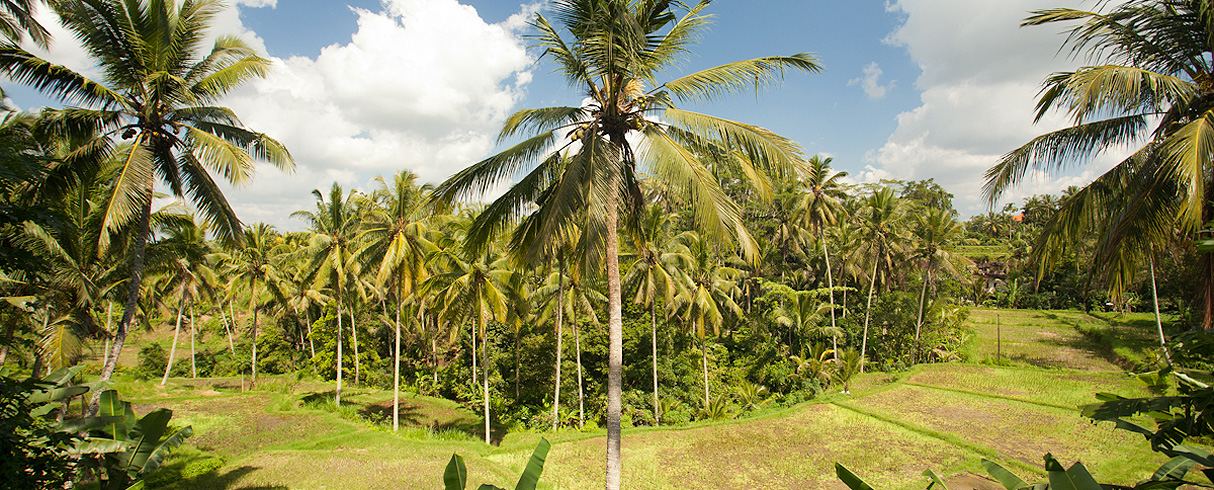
(331, 254)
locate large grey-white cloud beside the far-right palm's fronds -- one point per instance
(982, 75)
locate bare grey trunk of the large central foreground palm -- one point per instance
(616, 347)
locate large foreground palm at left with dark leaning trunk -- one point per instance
(156, 90)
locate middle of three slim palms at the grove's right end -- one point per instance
(882, 227)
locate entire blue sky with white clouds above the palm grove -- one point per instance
(912, 89)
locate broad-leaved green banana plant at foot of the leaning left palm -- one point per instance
(121, 448)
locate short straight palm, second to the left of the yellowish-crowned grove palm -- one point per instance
(256, 260)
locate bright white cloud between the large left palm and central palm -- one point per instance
(422, 86)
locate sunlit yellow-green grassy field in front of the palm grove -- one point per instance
(1013, 409)
